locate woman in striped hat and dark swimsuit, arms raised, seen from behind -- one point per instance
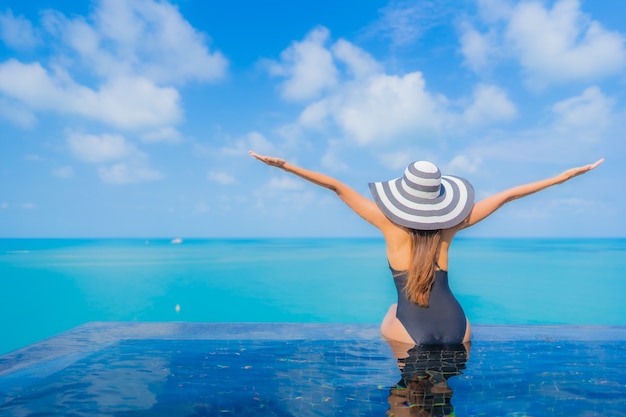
(419, 214)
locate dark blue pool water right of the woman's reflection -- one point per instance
(545, 379)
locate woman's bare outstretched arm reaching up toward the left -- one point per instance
(364, 207)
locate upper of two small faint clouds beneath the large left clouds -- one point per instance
(100, 148)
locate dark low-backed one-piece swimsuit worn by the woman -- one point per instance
(442, 322)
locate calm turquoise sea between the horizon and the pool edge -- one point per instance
(51, 285)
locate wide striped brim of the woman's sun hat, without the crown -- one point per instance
(448, 210)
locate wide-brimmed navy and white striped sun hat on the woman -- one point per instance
(423, 199)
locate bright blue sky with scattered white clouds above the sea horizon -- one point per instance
(133, 118)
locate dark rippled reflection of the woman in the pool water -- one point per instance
(423, 389)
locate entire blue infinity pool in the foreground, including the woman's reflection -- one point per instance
(195, 369)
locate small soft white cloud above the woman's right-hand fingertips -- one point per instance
(584, 117)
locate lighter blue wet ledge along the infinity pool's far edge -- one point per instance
(55, 353)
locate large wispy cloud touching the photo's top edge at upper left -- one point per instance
(141, 38)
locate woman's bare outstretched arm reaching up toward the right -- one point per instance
(484, 208)
